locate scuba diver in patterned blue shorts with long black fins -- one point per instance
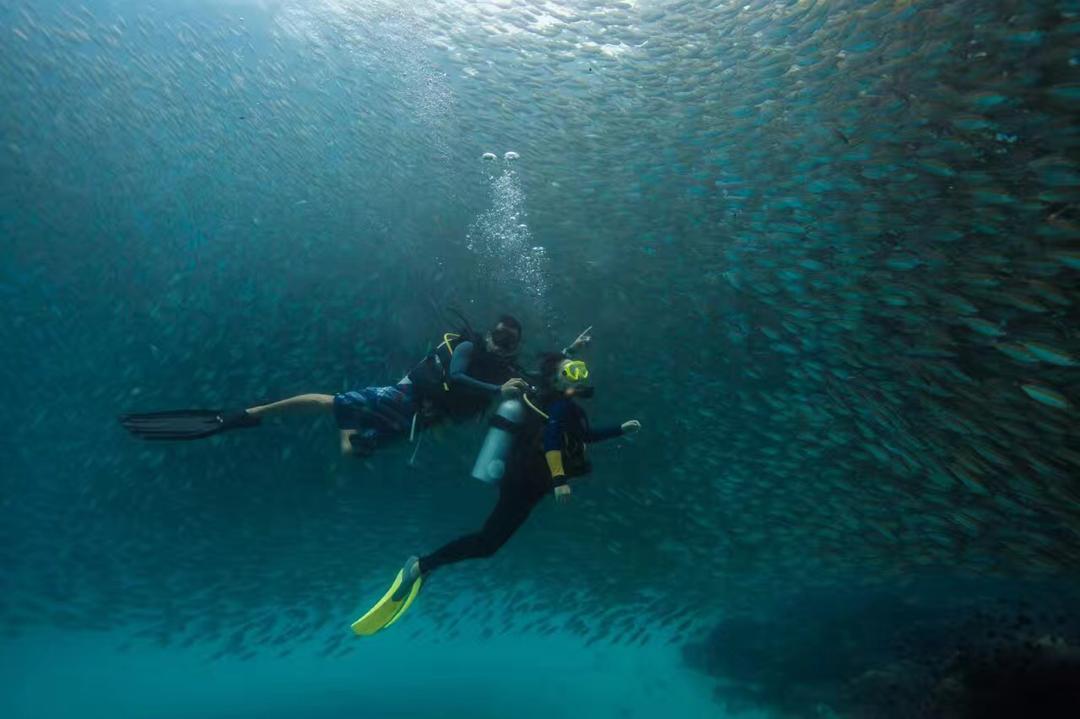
(456, 381)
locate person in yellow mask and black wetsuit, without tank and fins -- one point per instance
(542, 464)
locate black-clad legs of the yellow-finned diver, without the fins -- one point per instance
(517, 500)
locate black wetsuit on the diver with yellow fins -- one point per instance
(528, 481)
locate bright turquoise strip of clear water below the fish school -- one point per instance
(69, 675)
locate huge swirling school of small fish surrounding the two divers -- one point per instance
(831, 253)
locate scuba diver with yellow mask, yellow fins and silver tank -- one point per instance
(533, 450)
